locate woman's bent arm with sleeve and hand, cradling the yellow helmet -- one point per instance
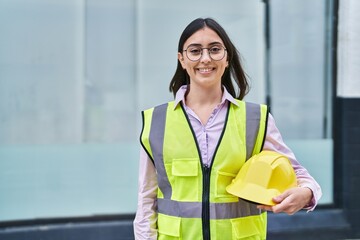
(308, 192)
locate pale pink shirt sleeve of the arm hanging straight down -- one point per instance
(145, 223)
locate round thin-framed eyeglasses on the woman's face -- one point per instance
(194, 53)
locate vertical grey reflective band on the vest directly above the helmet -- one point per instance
(253, 114)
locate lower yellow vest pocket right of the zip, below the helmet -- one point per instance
(247, 228)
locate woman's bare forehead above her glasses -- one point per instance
(203, 37)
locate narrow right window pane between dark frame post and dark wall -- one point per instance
(300, 83)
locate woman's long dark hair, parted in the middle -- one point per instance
(234, 70)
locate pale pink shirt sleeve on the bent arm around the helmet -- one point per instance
(274, 142)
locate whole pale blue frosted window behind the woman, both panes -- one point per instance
(74, 76)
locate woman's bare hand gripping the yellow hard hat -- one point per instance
(290, 201)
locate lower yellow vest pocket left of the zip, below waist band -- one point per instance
(169, 227)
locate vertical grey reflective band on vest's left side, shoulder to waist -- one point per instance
(156, 139)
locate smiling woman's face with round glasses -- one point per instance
(204, 72)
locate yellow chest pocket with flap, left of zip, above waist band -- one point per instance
(185, 173)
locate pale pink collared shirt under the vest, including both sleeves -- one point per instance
(207, 136)
